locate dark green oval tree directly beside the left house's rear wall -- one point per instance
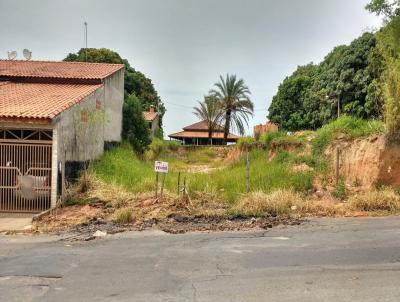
(135, 128)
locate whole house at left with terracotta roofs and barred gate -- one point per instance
(54, 118)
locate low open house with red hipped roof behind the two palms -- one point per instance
(197, 134)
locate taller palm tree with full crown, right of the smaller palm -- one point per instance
(234, 98)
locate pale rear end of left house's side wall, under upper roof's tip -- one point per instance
(114, 100)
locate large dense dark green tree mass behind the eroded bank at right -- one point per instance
(308, 99)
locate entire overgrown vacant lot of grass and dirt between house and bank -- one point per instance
(279, 179)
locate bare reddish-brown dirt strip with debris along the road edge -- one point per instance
(81, 222)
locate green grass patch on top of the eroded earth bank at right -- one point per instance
(350, 127)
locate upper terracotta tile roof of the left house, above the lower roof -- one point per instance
(57, 70)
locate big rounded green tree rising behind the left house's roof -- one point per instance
(135, 82)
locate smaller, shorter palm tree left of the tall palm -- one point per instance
(209, 111)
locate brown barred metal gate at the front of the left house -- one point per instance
(25, 170)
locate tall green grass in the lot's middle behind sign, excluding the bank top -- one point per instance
(122, 167)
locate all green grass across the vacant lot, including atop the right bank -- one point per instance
(121, 166)
